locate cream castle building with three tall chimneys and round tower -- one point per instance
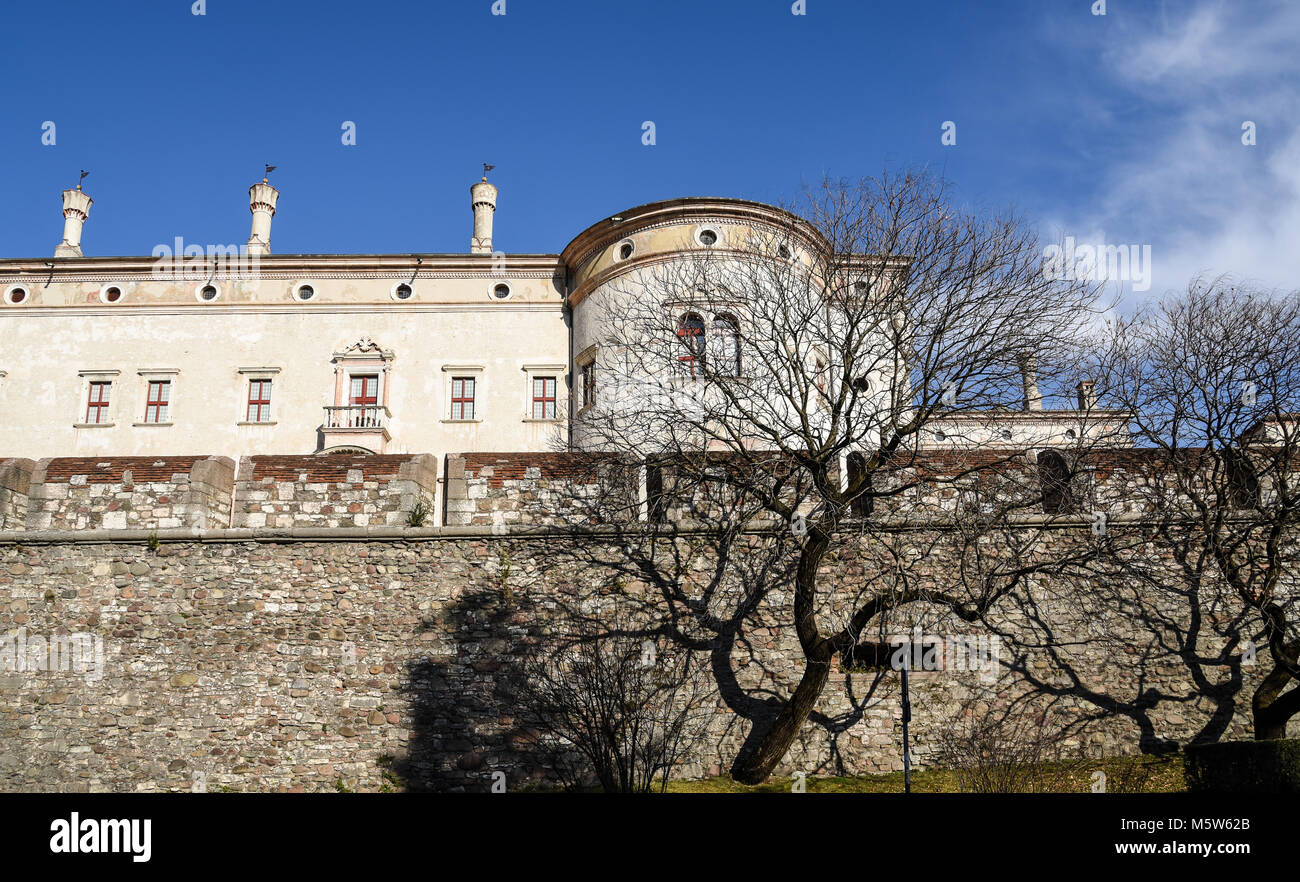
(237, 351)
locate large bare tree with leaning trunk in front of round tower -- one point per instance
(800, 378)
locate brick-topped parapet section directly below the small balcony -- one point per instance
(335, 491)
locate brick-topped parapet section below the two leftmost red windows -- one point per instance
(131, 492)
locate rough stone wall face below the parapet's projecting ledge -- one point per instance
(384, 661)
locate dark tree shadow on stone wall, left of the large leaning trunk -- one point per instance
(473, 723)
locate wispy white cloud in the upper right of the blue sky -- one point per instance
(1189, 187)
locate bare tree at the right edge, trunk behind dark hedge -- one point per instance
(1214, 383)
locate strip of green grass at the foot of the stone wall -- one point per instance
(1132, 775)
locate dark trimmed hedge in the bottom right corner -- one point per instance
(1271, 767)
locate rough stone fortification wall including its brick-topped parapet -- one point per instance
(354, 651)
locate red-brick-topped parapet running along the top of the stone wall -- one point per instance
(488, 490)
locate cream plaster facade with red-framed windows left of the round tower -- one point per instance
(63, 336)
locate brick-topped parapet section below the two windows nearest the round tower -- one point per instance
(523, 488)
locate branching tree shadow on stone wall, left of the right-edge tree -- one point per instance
(1176, 648)
